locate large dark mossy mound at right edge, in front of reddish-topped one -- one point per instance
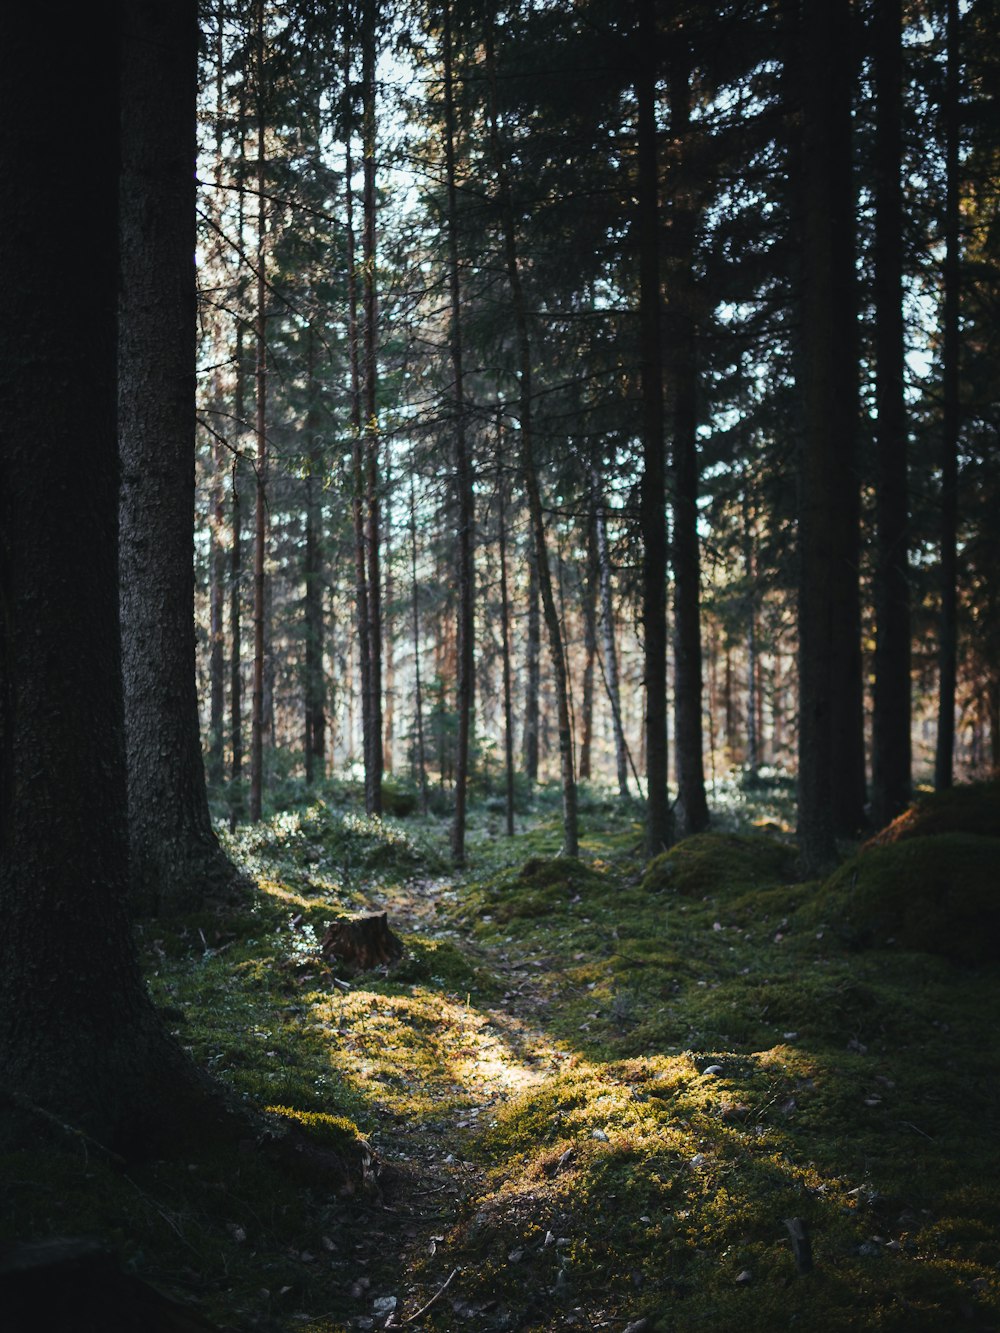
(935, 895)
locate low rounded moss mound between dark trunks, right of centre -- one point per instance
(721, 863)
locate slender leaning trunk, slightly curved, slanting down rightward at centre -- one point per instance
(530, 475)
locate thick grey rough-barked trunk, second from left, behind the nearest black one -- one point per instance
(177, 859)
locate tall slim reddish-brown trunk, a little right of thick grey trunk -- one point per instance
(258, 720)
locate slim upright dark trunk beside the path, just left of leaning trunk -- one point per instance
(463, 471)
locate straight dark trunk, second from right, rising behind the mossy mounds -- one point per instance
(891, 716)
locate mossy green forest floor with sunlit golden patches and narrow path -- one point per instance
(598, 1094)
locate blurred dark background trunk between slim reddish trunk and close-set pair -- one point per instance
(313, 574)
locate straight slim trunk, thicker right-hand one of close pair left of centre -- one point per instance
(374, 771)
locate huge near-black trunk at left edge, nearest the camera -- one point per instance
(79, 1038)
